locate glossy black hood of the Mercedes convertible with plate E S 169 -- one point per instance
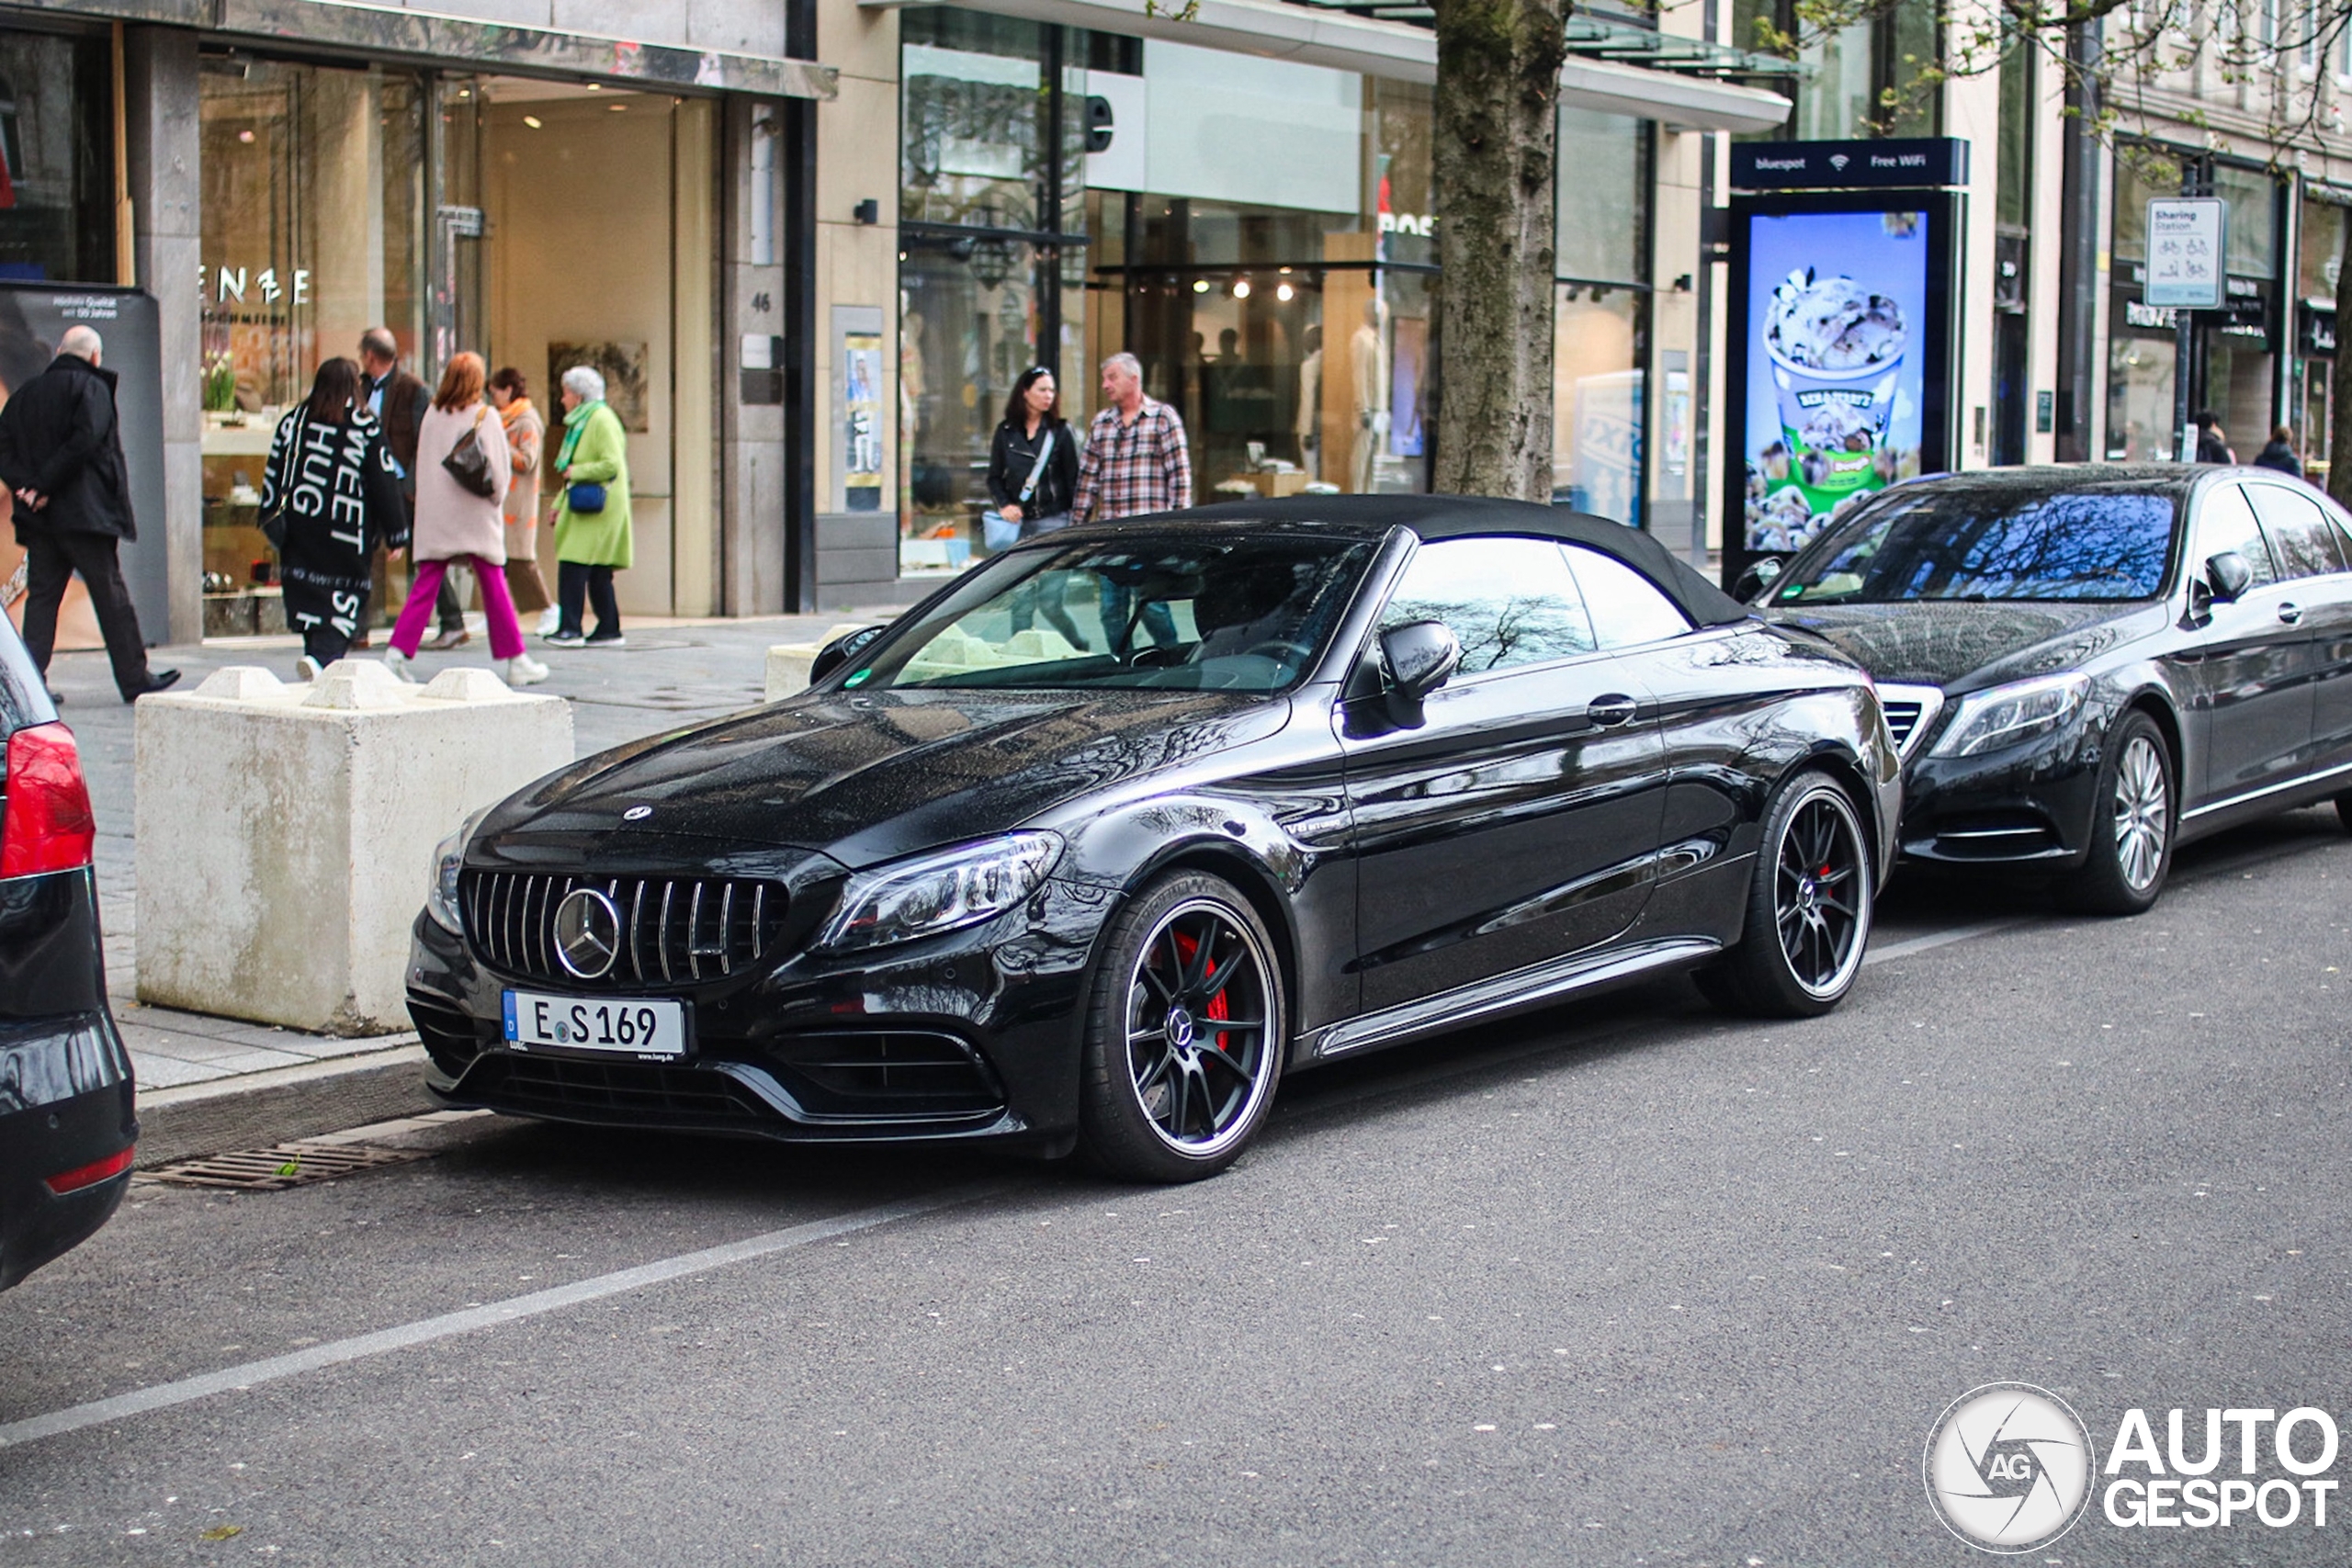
(871, 777)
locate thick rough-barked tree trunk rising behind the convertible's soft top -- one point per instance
(1497, 130)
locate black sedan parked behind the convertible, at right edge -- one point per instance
(2092, 666)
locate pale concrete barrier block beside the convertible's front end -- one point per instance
(286, 833)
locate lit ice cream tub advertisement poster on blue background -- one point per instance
(1838, 316)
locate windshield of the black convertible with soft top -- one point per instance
(1227, 615)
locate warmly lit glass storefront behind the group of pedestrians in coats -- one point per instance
(540, 225)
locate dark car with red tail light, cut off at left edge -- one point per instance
(67, 1118)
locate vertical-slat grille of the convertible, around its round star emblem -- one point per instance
(674, 930)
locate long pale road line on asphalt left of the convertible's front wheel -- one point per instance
(448, 1325)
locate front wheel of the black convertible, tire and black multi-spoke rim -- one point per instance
(1182, 1052)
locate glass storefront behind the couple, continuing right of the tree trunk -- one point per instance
(1285, 307)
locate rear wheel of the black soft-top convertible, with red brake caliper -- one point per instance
(1810, 902)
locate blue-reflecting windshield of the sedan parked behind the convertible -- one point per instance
(1982, 544)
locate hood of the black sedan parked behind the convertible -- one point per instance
(1972, 645)
